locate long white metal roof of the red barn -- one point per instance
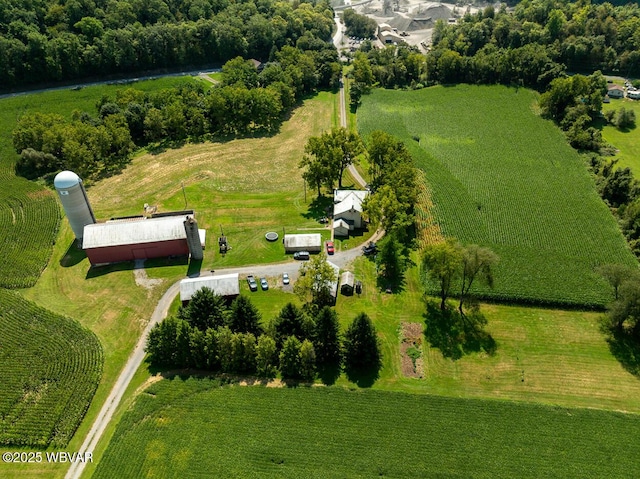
(146, 230)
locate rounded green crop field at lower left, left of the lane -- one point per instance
(50, 367)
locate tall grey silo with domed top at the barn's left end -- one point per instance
(74, 201)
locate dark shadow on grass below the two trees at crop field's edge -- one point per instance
(456, 335)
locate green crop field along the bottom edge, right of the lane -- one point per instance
(194, 427)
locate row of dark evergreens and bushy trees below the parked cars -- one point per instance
(209, 335)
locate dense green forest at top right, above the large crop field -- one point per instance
(492, 46)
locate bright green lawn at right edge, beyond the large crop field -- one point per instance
(627, 141)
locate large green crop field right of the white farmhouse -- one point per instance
(502, 177)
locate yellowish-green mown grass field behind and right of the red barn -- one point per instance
(243, 187)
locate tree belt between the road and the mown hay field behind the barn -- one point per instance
(245, 102)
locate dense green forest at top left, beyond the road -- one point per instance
(46, 41)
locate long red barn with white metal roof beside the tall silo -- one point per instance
(137, 238)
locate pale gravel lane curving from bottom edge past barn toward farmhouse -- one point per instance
(341, 259)
